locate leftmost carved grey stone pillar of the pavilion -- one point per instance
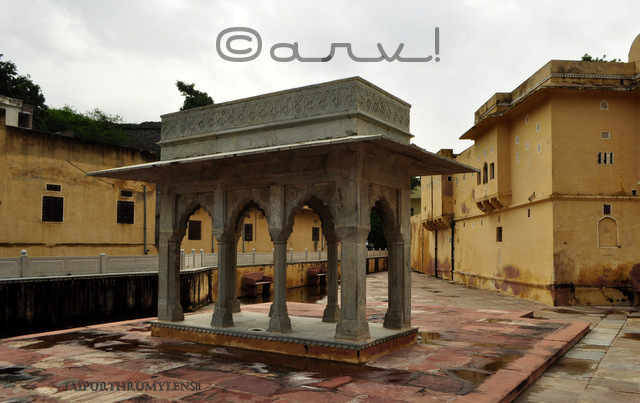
(169, 307)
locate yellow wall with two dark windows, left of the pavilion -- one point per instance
(30, 160)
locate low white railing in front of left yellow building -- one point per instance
(27, 266)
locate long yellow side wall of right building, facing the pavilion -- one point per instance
(522, 264)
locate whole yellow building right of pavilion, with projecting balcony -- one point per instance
(553, 214)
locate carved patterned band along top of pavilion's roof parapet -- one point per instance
(347, 96)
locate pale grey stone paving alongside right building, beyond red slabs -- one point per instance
(603, 367)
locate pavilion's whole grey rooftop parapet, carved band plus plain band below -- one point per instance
(350, 106)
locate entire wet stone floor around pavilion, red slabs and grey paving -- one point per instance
(475, 346)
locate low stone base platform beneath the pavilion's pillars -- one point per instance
(310, 338)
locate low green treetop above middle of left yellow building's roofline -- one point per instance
(94, 125)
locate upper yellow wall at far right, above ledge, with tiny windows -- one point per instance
(577, 126)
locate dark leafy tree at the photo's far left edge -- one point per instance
(21, 87)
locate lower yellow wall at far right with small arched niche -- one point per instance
(596, 271)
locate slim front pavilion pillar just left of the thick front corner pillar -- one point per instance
(280, 321)
